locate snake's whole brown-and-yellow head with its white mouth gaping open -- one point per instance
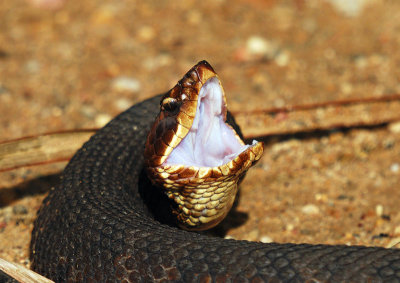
(194, 154)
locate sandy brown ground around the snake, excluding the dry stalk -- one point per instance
(77, 64)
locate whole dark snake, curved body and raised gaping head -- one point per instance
(130, 204)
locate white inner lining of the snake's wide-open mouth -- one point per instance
(210, 142)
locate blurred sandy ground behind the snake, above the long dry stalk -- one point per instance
(73, 64)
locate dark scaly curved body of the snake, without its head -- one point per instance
(97, 226)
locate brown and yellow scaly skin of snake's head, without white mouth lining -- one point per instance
(203, 194)
